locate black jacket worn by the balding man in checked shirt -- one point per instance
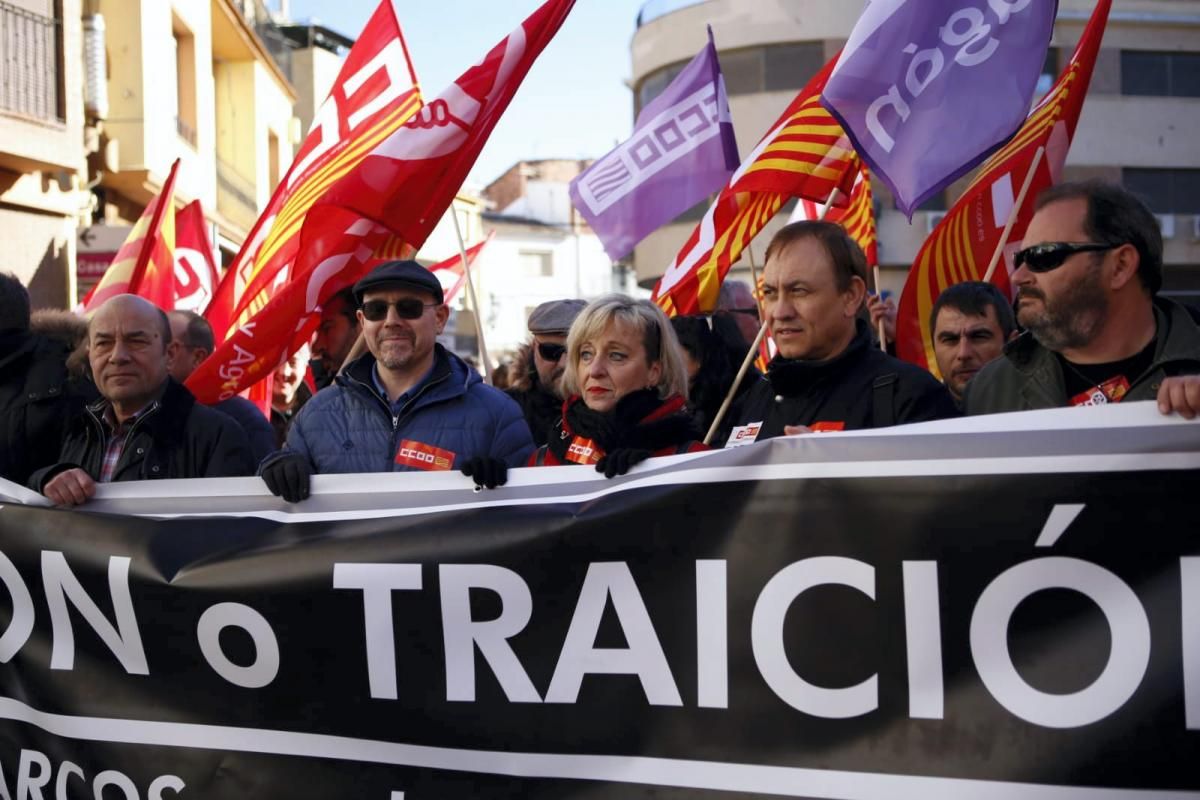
(176, 437)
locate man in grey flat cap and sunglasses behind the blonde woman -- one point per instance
(539, 366)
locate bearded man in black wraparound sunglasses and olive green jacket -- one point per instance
(1096, 332)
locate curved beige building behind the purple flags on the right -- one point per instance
(1138, 125)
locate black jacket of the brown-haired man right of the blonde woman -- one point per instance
(862, 388)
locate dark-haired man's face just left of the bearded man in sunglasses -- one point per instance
(970, 324)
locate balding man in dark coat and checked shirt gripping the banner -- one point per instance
(146, 426)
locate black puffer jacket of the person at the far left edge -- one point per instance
(35, 404)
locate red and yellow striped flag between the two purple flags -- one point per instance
(806, 154)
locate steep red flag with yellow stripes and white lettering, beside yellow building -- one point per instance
(376, 92)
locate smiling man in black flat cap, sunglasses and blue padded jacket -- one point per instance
(407, 405)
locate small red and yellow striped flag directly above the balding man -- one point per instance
(146, 263)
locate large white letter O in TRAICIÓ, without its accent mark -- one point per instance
(1129, 658)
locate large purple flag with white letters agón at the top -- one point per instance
(928, 89)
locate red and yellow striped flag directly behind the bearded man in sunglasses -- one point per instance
(964, 243)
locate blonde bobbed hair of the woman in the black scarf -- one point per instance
(643, 316)
